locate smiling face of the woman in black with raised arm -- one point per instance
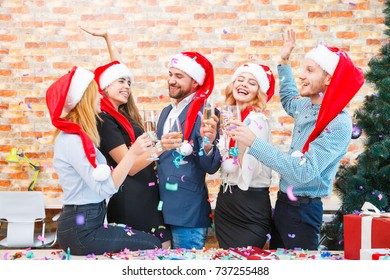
(118, 92)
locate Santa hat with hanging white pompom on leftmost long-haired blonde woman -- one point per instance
(62, 96)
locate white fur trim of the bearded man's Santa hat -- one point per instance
(189, 66)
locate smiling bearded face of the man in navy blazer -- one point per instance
(180, 84)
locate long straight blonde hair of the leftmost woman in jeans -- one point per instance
(85, 115)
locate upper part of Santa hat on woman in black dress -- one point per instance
(107, 74)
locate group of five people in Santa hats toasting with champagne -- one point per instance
(101, 154)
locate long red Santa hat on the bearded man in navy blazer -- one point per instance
(201, 70)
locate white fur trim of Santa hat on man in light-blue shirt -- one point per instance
(325, 58)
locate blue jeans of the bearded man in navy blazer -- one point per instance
(184, 237)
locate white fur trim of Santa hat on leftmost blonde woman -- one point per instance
(80, 81)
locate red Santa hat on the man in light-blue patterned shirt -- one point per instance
(345, 83)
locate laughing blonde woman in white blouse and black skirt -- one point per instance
(243, 209)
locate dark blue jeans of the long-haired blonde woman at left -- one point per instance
(81, 229)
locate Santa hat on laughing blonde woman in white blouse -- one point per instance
(262, 74)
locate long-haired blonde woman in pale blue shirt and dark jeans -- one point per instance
(86, 179)
